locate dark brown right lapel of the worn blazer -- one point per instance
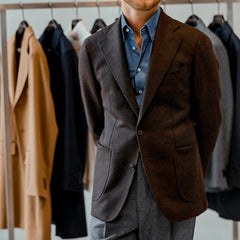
(165, 48)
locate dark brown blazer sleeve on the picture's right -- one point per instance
(207, 94)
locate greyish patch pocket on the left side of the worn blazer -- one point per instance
(102, 169)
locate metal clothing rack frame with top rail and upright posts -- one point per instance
(4, 73)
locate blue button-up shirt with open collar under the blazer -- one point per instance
(138, 63)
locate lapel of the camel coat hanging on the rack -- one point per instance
(23, 64)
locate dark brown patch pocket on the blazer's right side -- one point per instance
(189, 172)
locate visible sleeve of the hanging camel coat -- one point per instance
(42, 128)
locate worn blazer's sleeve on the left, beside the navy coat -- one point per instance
(91, 93)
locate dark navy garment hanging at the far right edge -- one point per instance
(232, 44)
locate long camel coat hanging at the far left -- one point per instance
(33, 137)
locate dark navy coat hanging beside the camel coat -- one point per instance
(66, 187)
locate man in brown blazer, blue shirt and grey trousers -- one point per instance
(151, 93)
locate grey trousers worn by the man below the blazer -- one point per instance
(141, 217)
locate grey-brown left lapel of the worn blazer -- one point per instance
(114, 53)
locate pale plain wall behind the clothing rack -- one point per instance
(209, 225)
